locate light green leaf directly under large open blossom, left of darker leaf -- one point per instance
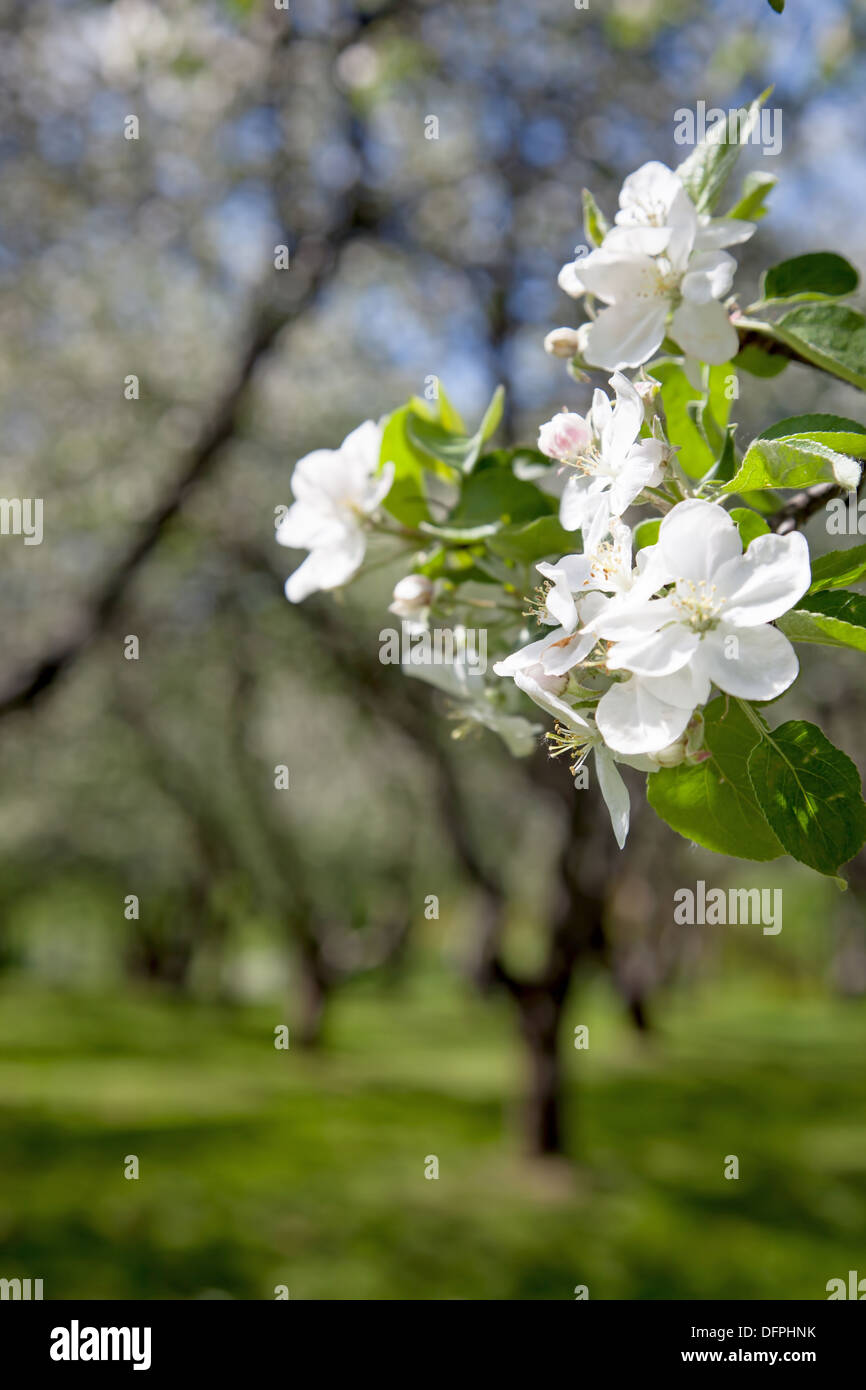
(714, 803)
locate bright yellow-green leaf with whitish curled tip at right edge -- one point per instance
(803, 458)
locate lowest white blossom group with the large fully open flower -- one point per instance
(637, 650)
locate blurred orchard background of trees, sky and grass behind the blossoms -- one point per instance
(409, 258)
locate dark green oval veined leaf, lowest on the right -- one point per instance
(811, 794)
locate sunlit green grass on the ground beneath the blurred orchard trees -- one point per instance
(262, 1168)
